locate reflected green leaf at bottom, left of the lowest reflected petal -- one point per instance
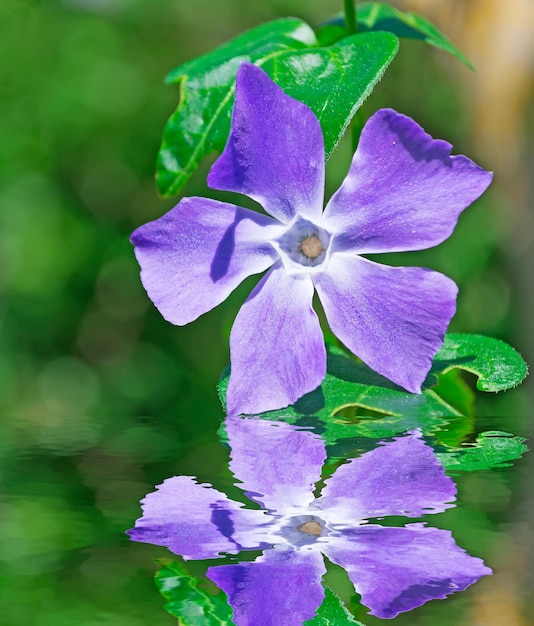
(188, 601)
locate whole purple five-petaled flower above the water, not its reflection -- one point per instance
(403, 192)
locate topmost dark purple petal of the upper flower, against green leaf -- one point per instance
(275, 152)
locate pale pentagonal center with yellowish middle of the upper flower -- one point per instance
(305, 243)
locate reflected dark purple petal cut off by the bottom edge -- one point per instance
(282, 587)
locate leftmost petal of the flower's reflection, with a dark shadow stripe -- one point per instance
(196, 521)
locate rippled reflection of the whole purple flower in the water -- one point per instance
(393, 569)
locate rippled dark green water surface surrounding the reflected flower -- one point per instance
(66, 503)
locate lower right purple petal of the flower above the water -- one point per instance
(393, 318)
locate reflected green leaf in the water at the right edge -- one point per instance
(492, 449)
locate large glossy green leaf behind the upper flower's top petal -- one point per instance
(333, 81)
